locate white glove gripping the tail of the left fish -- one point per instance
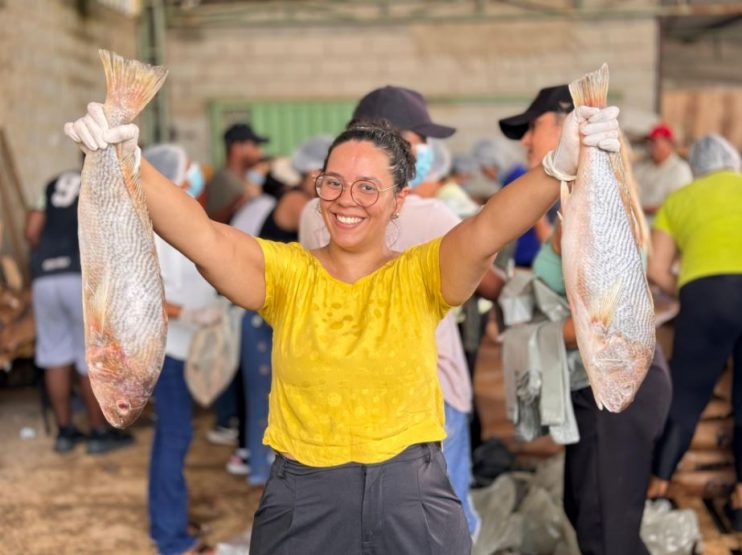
(91, 132)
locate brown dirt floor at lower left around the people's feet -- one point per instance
(80, 503)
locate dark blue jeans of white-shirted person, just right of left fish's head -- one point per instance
(168, 493)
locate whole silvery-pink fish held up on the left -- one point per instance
(123, 296)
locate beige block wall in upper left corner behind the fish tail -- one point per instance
(49, 70)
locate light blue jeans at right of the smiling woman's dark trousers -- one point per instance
(458, 460)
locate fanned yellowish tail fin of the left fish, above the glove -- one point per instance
(130, 85)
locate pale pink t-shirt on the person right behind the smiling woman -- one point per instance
(421, 220)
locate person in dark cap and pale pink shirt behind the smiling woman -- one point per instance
(421, 220)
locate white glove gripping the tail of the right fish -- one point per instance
(598, 127)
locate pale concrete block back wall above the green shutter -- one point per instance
(474, 73)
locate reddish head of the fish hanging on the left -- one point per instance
(120, 385)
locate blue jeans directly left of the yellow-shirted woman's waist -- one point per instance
(255, 365)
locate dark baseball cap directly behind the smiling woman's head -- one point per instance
(404, 108)
